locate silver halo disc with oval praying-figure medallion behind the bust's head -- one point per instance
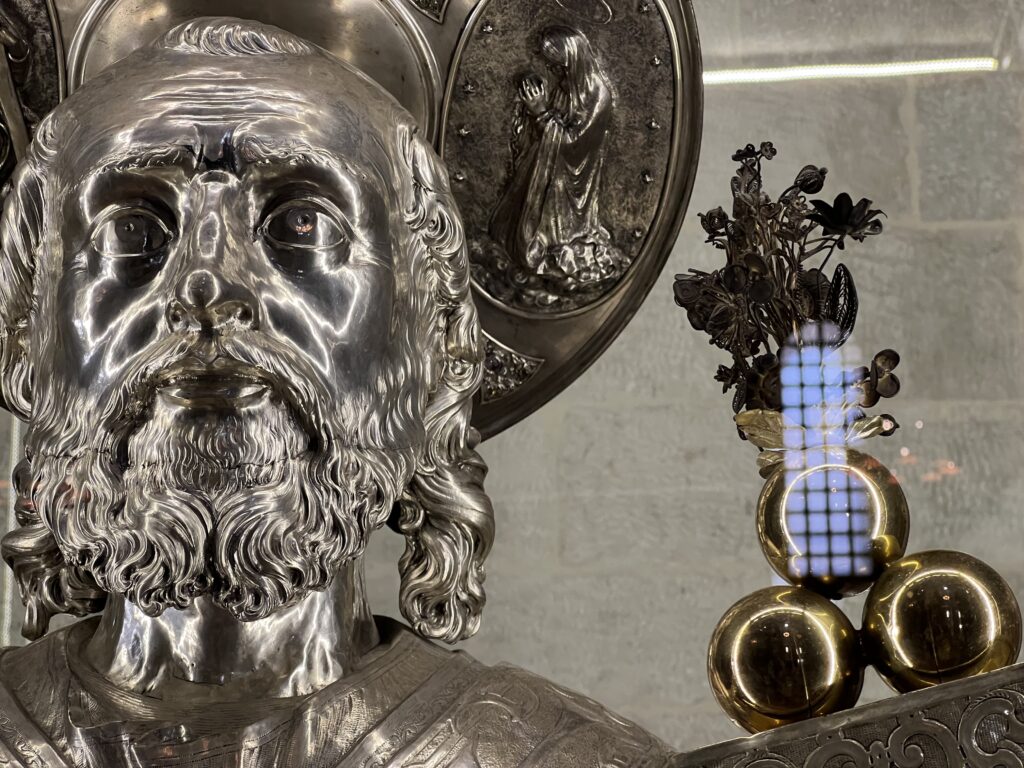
(571, 212)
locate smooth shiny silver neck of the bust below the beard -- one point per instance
(205, 654)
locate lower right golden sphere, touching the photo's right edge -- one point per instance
(937, 617)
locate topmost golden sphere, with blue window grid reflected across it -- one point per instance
(831, 521)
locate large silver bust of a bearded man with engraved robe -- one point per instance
(236, 314)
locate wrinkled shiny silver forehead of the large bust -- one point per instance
(204, 102)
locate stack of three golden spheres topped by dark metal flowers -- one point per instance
(833, 521)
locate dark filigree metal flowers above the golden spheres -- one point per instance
(775, 284)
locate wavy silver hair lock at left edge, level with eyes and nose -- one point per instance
(21, 231)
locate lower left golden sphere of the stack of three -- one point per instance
(784, 655)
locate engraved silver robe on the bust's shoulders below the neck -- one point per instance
(409, 704)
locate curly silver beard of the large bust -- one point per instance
(231, 504)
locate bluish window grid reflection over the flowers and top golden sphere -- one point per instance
(828, 513)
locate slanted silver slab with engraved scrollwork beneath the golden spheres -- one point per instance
(978, 723)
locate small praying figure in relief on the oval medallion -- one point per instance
(551, 248)
